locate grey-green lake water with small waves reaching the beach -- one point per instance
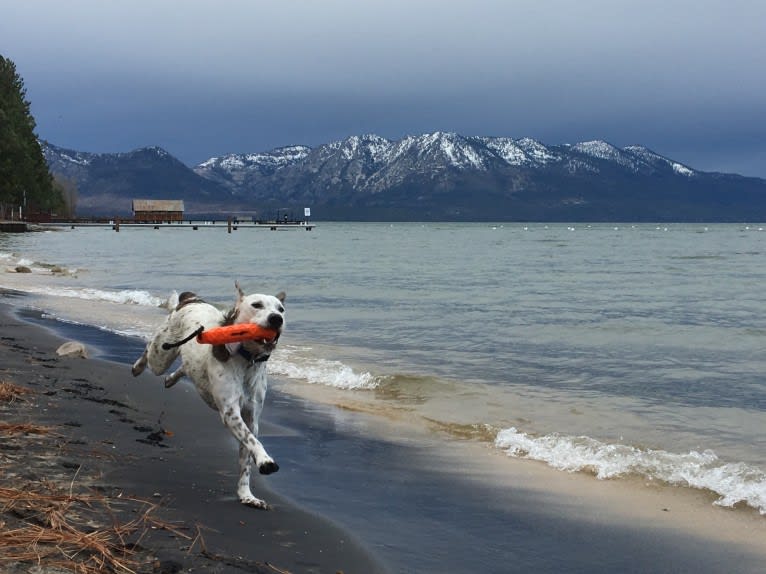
(620, 350)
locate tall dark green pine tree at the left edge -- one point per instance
(24, 177)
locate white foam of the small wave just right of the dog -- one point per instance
(295, 364)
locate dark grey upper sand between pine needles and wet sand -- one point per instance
(113, 438)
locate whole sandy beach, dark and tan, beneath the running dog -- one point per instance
(414, 503)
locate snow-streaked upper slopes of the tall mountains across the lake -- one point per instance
(373, 164)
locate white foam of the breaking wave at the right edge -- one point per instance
(734, 483)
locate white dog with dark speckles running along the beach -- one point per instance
(230, 378)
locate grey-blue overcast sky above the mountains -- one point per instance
(202, 78)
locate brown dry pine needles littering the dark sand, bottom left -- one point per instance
(61, 525)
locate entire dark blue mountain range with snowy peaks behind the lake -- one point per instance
(437, 176)
